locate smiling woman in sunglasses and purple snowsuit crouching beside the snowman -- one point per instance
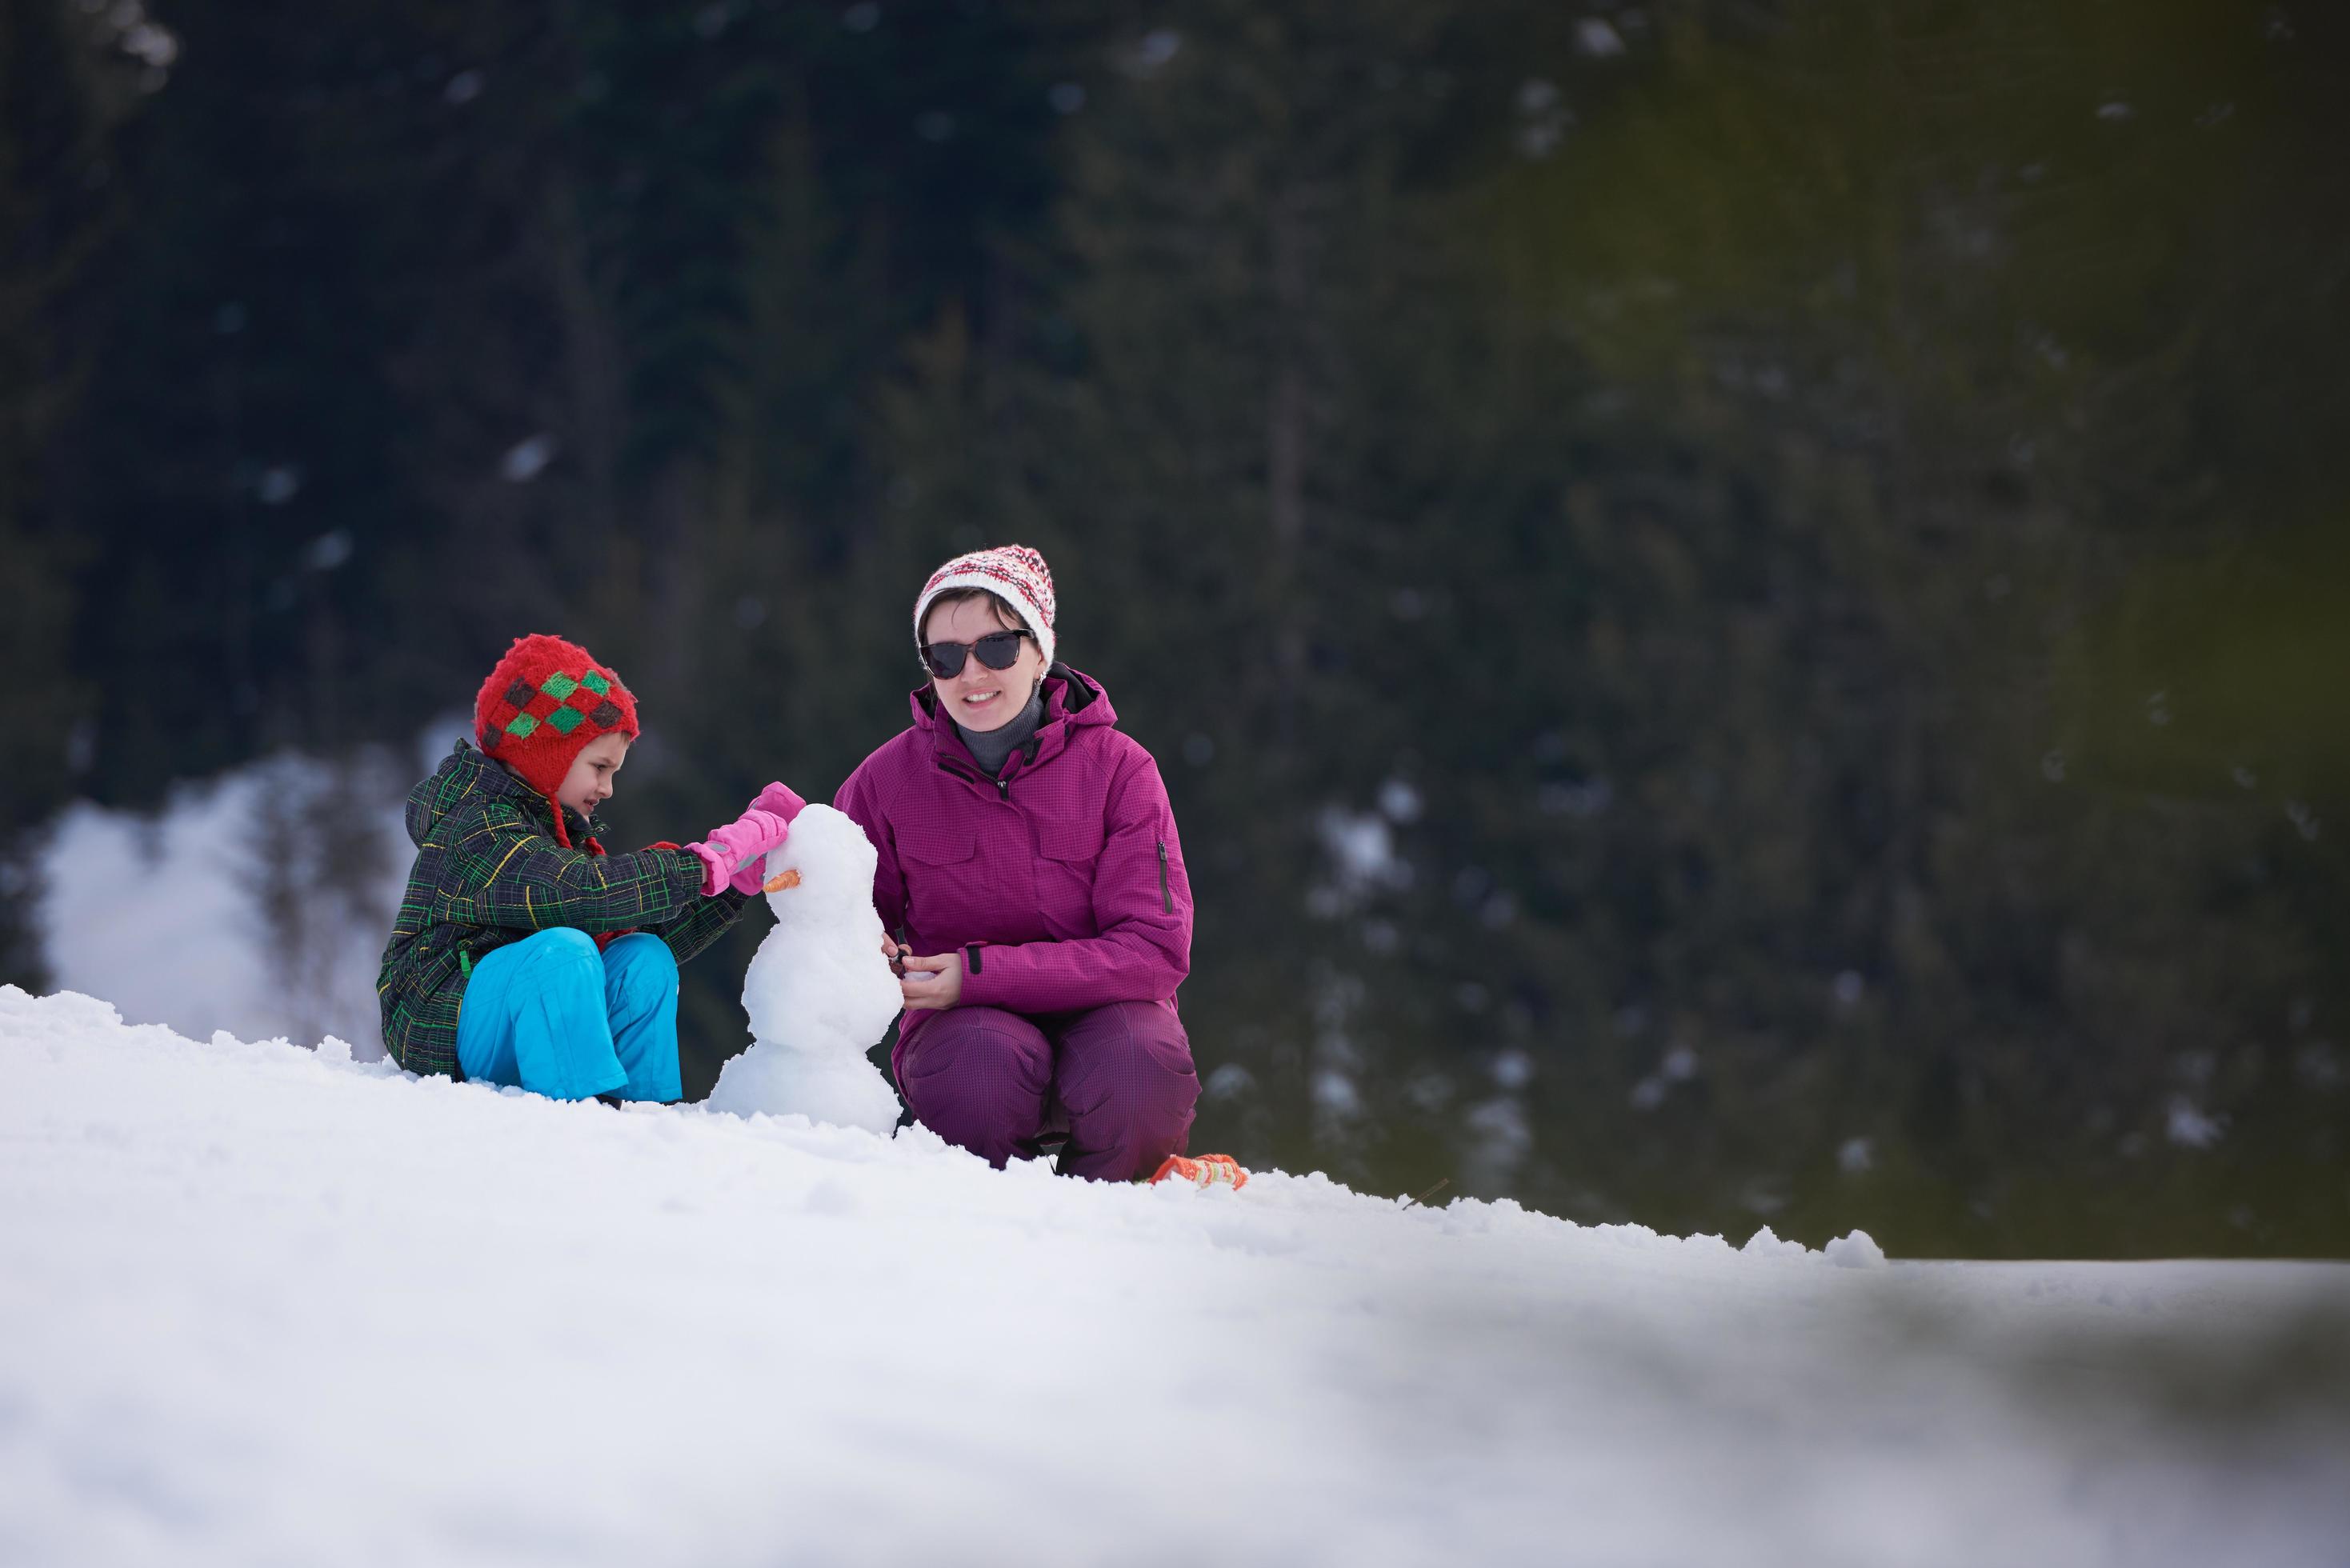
(1030, 859)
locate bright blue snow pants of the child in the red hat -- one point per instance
(568, 1021)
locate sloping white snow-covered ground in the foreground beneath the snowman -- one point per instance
(264, 1306)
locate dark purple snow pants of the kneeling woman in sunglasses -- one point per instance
(1117, 1080)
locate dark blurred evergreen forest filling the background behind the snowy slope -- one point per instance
(1745, 603)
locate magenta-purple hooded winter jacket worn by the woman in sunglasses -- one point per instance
(1061, 880)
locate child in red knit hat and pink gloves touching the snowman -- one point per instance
(528, 956)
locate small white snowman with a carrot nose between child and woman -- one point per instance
(819, 991)
